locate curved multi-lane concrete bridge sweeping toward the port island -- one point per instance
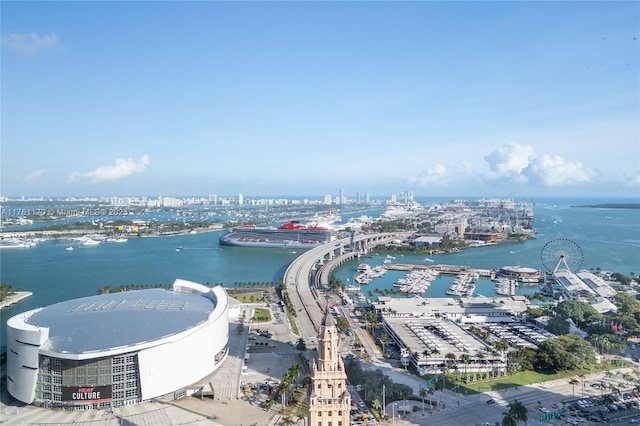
(325, 258)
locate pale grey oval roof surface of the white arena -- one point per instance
(110, 321)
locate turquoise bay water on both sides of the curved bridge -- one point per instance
(609, 239)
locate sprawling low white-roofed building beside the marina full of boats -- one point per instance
(433, 333)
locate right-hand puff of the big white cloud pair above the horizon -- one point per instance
(556, 171)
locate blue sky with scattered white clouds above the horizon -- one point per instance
(304, 98)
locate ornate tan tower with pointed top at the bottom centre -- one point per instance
(329, 399)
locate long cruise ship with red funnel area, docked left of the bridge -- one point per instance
(289, 235)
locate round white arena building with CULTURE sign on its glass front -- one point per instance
(117, 349)
